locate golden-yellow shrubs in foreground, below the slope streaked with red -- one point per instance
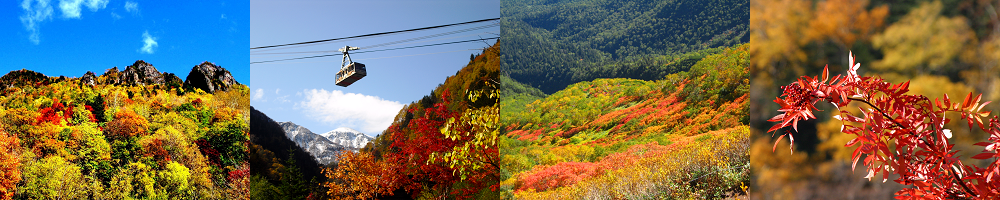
(663, 173)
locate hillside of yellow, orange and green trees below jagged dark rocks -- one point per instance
(121, 136)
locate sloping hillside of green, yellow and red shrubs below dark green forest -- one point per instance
(685, 135)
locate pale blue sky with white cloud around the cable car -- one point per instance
(303, 91)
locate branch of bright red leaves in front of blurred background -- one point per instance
(902, 134)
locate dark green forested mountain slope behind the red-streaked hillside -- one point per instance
(551, 44)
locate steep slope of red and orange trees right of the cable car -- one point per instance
(444, 145)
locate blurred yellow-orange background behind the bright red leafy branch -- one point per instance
(943, 47)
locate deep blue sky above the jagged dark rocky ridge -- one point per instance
(71, 37)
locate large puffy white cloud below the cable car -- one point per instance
(369, 114)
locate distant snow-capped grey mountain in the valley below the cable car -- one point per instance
(321, 148)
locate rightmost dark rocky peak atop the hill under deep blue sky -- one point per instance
(210, 78)
